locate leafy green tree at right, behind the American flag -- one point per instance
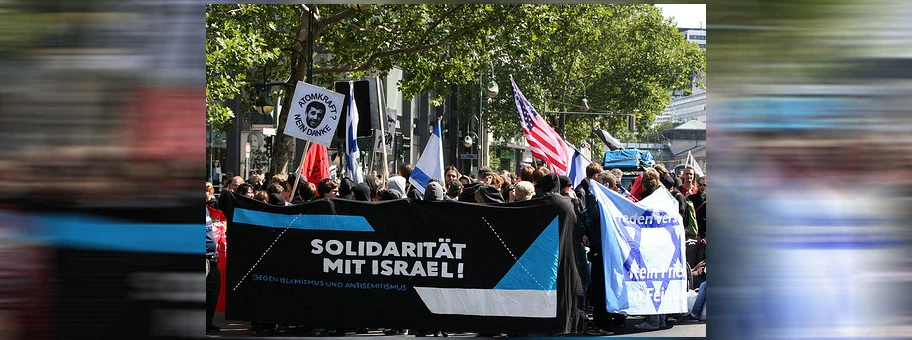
(626, 59)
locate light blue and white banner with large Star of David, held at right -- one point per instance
(642, 249)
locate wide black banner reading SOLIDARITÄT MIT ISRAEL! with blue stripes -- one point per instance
(404, 264)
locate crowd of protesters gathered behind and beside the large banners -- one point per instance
(491, 187)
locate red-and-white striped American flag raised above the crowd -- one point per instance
(544, 142)
